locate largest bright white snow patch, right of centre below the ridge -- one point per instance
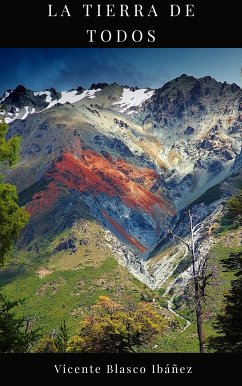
(133, 98)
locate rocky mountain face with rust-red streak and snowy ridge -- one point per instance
(132, 159)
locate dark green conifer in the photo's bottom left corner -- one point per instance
(16, 334)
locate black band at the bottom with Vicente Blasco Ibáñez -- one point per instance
(31, 369)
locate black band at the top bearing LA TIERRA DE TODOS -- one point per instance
(26, 23)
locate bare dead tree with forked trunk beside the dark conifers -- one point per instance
(200, 277)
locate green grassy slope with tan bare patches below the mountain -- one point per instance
(63, 285)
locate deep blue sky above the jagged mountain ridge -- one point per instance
(66, 68)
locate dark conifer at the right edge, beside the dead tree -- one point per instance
(229, 322)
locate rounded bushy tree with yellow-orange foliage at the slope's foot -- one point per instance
(114, 328)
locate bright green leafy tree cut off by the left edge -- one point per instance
(12, 217)
